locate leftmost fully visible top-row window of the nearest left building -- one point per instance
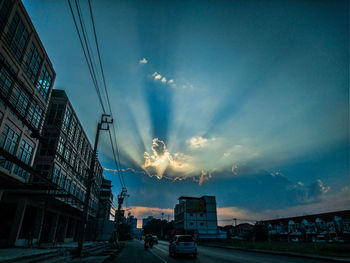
(17, 37)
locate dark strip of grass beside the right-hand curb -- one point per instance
(321, 249)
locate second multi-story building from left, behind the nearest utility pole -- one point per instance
(65, 158)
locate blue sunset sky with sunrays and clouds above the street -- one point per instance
(245, 100)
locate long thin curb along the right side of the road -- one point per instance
(282, 253)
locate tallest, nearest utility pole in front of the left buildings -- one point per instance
(105, 119)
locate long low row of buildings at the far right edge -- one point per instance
(332, 226)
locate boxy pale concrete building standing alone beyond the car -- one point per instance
(197, 215)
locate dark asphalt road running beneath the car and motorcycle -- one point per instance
(134, 252)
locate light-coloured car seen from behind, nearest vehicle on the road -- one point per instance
(183, 244)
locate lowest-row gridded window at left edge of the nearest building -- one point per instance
(9, 142)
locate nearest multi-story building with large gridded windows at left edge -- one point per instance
(26, 81)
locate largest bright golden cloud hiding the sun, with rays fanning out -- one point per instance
(161, 160)
